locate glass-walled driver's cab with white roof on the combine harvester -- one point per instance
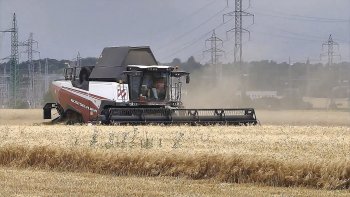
(155, 85)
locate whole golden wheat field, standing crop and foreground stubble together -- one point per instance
(310, 160)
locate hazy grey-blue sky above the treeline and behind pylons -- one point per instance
(177, 28)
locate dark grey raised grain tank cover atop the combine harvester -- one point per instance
(113, 60)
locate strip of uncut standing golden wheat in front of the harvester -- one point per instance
(315, 157)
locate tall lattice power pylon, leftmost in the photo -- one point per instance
(14, 59)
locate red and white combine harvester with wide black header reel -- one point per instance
(127, 86)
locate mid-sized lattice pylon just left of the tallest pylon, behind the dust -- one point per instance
(215, 52)
